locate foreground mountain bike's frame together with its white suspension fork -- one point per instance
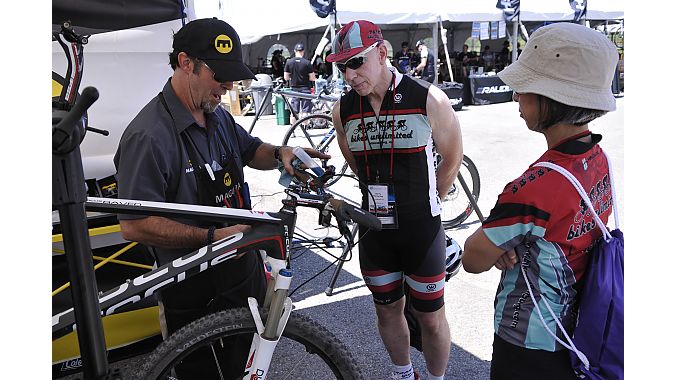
(272, 233)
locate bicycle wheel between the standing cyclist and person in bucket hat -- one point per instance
(456, 208)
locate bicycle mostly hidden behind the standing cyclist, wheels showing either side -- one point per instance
(317, 131)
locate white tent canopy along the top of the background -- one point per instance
(254, 20)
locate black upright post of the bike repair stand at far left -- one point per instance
(68, 197)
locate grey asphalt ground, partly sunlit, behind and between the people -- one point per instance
(497, 140)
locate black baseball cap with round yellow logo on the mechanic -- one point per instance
(215, 42)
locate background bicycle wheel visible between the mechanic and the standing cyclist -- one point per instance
(316, 131)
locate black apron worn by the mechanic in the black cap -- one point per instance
(215, 289)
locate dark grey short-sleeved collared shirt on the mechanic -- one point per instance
(152, 163)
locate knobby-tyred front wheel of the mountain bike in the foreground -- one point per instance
(306, 349)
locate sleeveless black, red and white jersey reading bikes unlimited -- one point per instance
(409, 164)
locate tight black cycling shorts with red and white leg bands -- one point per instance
(415, 253)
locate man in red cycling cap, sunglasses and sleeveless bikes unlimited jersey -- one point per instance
(387, 126)
